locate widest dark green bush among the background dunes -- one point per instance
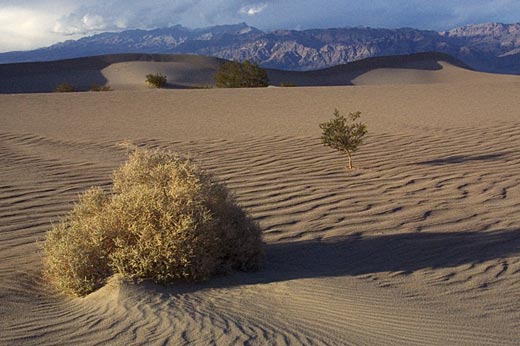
(233, 74)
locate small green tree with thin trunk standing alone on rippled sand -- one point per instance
(344, 133)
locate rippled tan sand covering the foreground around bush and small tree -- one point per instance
(420, 245)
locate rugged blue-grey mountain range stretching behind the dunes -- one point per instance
(490, 47)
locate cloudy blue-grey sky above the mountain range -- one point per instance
(29, 24)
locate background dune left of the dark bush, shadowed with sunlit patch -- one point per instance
(120, 71)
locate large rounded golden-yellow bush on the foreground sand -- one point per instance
(165, 220)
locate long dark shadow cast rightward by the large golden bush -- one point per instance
(358, 255)
